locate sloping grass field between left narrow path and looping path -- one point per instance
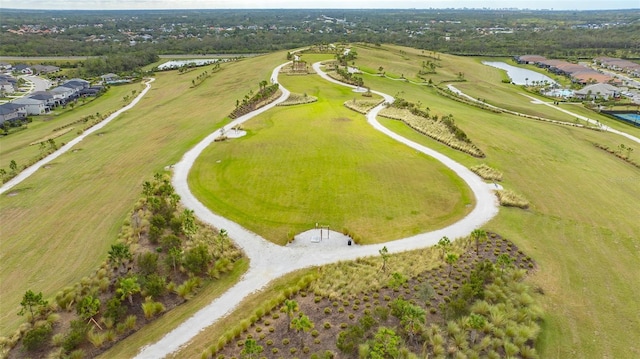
(64, 218)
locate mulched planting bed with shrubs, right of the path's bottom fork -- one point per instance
(475, 306)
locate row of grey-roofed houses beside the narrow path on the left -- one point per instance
(40, 102)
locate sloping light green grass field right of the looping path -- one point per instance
(581, 228)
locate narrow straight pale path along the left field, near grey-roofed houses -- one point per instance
(33, 168)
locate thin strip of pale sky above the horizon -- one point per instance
(317, 4)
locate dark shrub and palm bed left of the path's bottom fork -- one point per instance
(164, 254)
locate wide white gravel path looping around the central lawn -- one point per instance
(269, 261)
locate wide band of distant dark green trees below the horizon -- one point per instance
(555, 34)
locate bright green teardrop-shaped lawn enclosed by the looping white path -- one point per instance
(322, 163)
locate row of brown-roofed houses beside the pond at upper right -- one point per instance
(578, 73)
